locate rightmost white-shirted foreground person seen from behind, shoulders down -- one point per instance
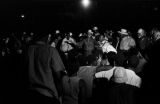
(123, 86)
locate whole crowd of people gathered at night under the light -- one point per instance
(90, 68)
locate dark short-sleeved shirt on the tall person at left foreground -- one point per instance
(44, 63)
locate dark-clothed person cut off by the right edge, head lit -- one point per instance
(151, 74)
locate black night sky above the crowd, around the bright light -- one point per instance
(69, 14)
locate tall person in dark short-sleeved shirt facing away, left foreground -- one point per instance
(45, 70)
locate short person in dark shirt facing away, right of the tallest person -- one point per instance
(74, 87)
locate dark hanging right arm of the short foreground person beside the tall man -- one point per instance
(82, 92)
